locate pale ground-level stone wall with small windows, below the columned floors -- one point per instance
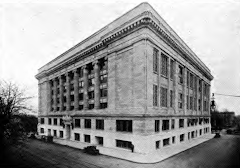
(146, 135)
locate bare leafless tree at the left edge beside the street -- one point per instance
(12, 102)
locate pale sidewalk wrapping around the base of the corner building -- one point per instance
(160, 154)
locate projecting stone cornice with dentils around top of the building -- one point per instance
(146, 19)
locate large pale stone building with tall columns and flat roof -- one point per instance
(132, 83)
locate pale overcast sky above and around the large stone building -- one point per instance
(32, 33)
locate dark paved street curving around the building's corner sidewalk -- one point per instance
(222, 152)
